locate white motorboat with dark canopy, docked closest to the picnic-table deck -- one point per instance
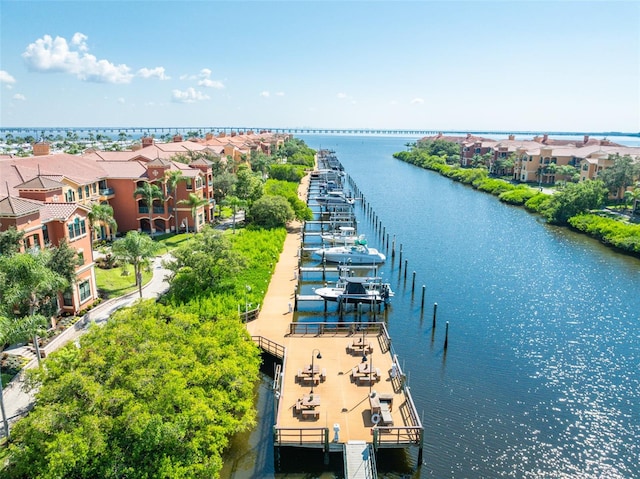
(357, 290)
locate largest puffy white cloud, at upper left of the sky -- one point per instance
(47, 54)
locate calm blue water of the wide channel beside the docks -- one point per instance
(542, 374)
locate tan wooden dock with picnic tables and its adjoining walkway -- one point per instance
(339, 386)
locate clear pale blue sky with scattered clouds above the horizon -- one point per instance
(505, 65)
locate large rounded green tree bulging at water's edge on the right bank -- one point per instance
(576, 198)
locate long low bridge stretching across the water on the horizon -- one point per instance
(37, 131)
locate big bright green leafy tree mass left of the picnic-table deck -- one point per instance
(155, 393)
